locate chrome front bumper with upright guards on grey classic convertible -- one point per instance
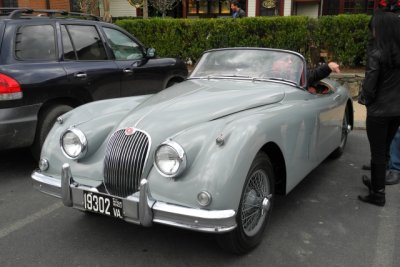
(139, 208)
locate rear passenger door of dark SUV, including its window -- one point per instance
(87, 64)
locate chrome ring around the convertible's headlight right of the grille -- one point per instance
(180, 158)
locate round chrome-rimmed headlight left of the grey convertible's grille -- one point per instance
(73, 143)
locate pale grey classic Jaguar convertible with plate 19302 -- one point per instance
(207, 154)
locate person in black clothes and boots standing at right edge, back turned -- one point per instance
(381, 95)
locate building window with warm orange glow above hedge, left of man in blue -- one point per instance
(208, 8)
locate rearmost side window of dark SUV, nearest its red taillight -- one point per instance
(35, 42)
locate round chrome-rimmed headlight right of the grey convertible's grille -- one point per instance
(170, 159)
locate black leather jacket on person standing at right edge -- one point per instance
(381, 87)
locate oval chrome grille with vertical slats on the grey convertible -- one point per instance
(125, 159)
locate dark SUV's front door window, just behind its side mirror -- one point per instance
(123, 47)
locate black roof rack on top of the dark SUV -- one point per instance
(15, 13)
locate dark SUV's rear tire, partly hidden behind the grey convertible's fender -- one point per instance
(45, 122)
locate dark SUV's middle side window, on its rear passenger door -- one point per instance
(82, 42)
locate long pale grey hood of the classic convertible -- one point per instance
(196, 101)
